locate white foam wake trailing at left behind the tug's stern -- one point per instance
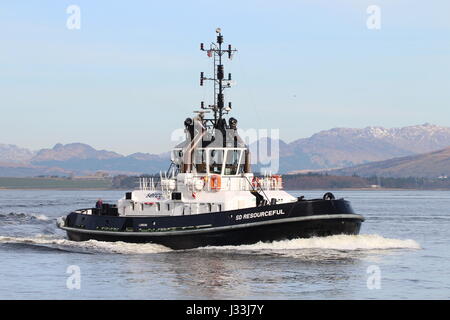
(91, 246)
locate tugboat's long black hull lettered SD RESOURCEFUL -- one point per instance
(302, 219)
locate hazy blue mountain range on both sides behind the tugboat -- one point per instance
(329, 149)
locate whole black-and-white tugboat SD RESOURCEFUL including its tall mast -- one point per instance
(210, 196)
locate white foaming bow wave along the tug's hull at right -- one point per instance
(337, 242)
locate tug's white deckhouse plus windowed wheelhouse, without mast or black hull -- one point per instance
(217, 183)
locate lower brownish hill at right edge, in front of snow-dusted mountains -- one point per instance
(429, 165)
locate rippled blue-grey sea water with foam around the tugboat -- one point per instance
(402, 252)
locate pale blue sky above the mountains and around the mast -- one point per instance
(129, 76)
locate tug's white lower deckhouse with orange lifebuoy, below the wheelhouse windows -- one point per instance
(196, 193)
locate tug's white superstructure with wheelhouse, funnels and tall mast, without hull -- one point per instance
(210, 170)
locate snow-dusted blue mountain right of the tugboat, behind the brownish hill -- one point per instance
(344, 147)
